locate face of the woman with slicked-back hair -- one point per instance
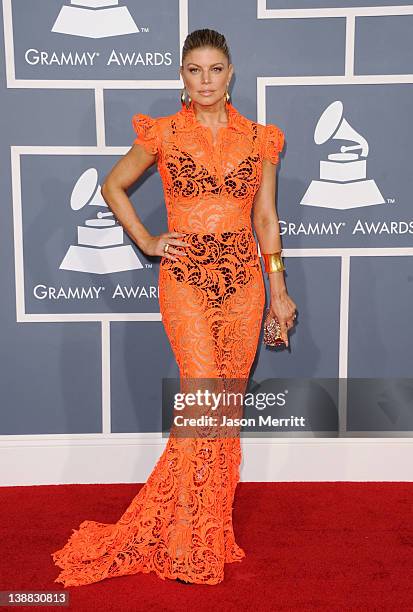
(206, 75)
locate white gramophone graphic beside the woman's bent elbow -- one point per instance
(100, 248)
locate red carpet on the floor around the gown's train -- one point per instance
(332, 546)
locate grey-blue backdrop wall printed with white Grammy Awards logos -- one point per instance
(83, 347)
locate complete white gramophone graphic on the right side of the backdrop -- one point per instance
(343, 183)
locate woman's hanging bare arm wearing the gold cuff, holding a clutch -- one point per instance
(266, 225)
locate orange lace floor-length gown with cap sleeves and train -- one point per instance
(179, 524)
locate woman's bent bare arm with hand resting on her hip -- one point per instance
(124, 174)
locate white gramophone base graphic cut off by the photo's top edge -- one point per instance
(94, 19)
